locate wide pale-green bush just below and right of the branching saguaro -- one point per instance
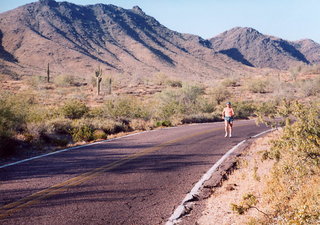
(125, 107)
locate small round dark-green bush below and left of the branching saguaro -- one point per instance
(74, 109)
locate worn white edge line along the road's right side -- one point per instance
(180, 210)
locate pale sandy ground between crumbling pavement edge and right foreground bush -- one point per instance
(247, 179)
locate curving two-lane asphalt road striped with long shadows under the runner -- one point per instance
(138, 179)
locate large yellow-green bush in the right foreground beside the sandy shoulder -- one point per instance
(292, 186)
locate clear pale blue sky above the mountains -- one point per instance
(288, 19)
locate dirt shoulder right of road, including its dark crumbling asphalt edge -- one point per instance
(240, 175)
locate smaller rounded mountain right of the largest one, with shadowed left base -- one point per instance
(252, 48)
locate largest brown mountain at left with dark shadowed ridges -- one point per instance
(76, 39)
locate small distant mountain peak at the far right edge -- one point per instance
(309, 48)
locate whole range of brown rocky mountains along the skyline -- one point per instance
(77, 39)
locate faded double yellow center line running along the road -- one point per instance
(11, 208)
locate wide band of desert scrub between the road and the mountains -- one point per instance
(68, 110)
